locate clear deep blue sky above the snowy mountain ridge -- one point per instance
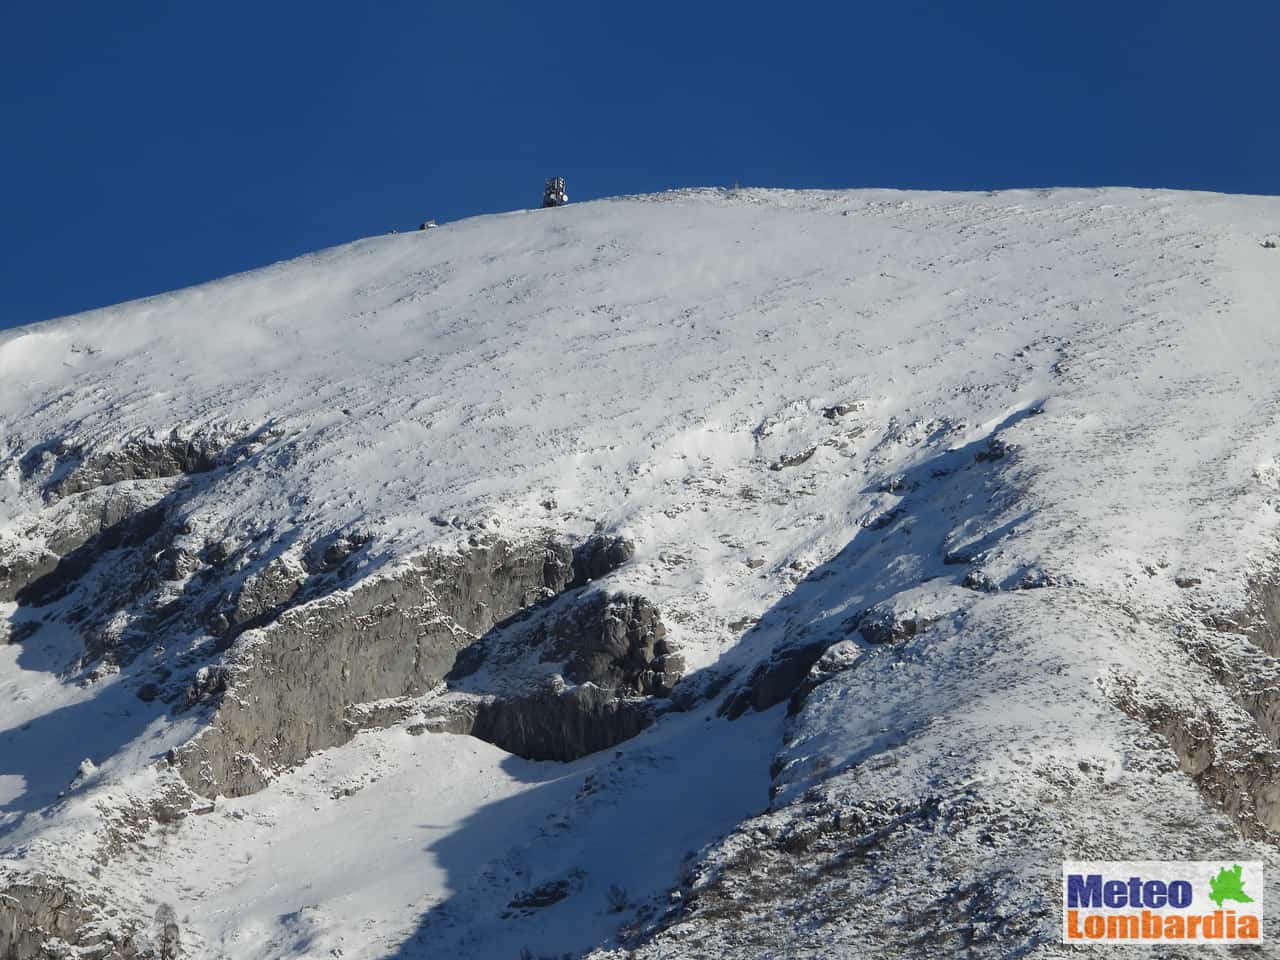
(147, 147)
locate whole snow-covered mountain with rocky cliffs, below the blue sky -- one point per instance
(857, 556)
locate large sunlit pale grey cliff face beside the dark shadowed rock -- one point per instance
(291, 684)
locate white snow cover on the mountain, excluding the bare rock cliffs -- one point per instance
(1043, 427)
